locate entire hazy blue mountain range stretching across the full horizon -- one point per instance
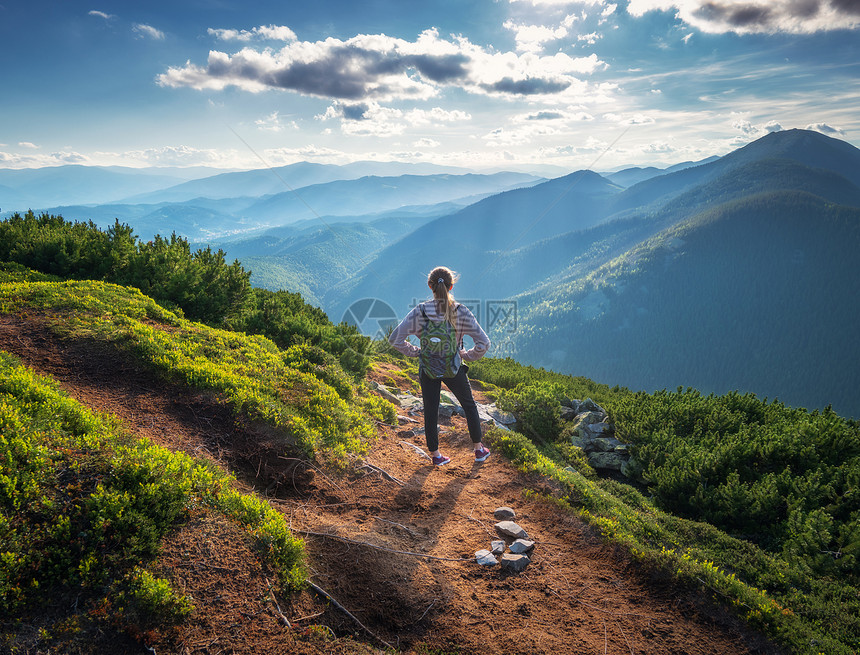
(732, 273)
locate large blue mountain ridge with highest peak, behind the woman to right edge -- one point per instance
(736, 274)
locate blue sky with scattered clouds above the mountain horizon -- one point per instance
(483, 83)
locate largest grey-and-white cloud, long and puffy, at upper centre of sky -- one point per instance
(380, 68)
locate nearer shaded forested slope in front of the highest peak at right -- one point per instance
(758, 294)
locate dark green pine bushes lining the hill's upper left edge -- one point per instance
(199, 284)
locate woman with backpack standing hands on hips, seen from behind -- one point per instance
(441, 324)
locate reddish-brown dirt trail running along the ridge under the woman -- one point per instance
(577, 596)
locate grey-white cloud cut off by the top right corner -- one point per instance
(758, 16)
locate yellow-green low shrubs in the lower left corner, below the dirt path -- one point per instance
(84, 506)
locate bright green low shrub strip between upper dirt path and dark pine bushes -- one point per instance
(302, 391)
